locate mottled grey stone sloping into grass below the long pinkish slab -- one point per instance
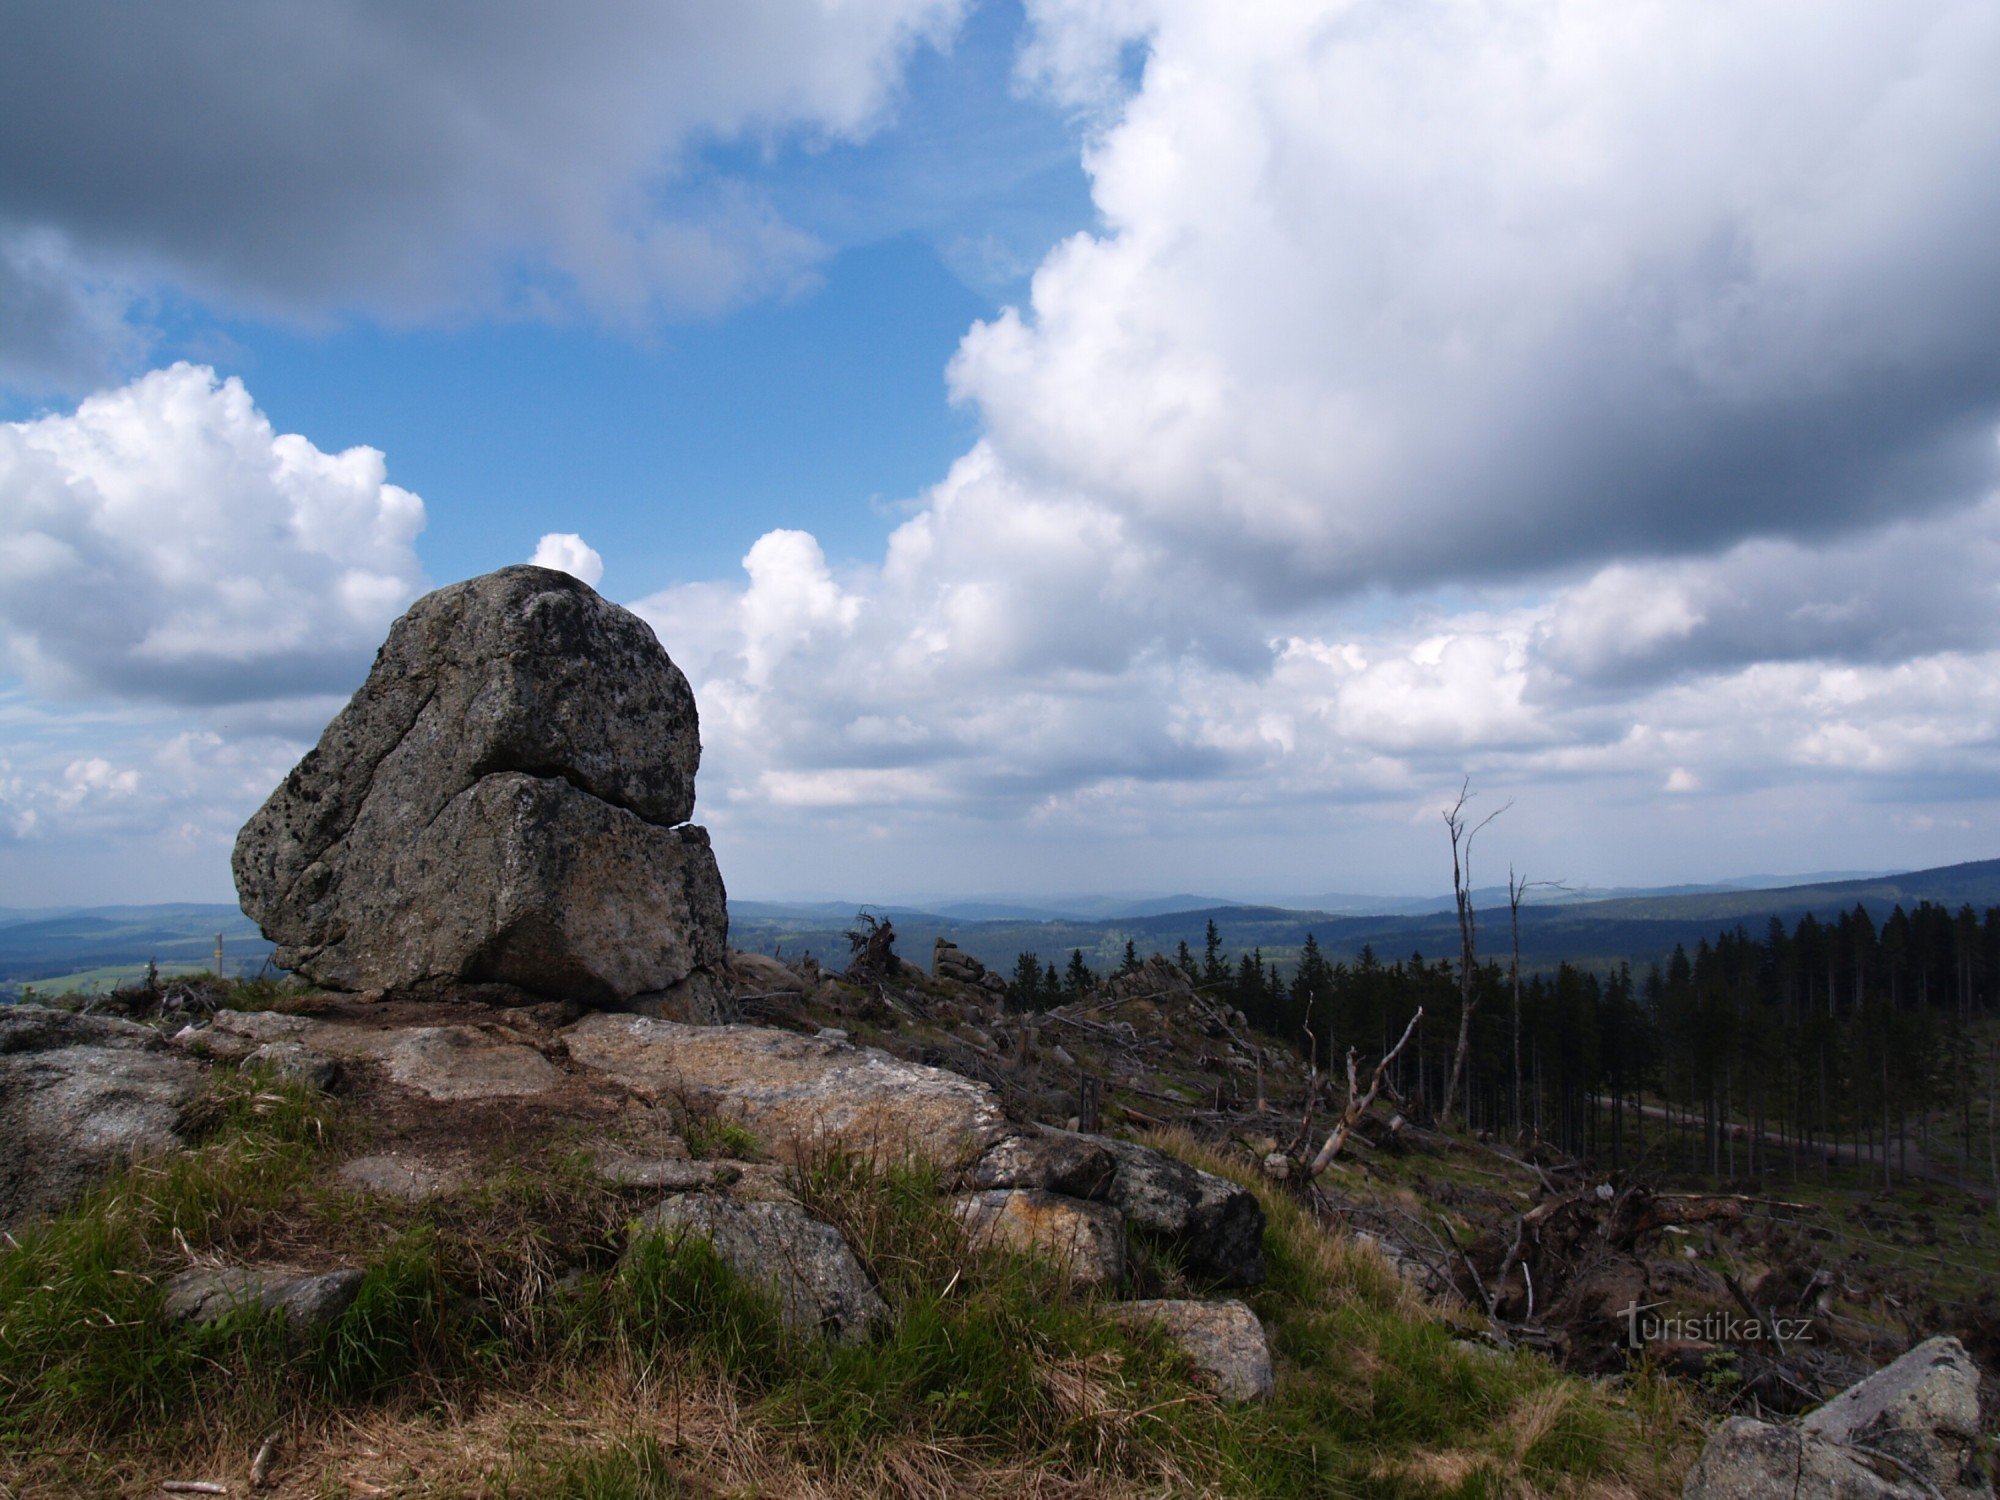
(821, 1285)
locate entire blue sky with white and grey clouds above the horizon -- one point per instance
(1071, 447)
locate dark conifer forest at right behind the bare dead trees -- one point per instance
(1821, 1041)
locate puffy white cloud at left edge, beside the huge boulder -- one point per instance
(163, 543)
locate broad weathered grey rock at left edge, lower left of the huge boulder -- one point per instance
(81, 1095)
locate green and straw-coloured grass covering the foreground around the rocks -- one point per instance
(515, 1339)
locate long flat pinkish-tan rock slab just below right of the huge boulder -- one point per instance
(793, 1089)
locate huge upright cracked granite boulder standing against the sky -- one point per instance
(505, 801)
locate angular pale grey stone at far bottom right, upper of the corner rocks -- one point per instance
(1923, 1411)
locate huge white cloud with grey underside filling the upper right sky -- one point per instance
(1409, 293)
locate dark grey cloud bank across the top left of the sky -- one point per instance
(383, 157)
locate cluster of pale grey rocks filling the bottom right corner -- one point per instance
(1907, 1431)
